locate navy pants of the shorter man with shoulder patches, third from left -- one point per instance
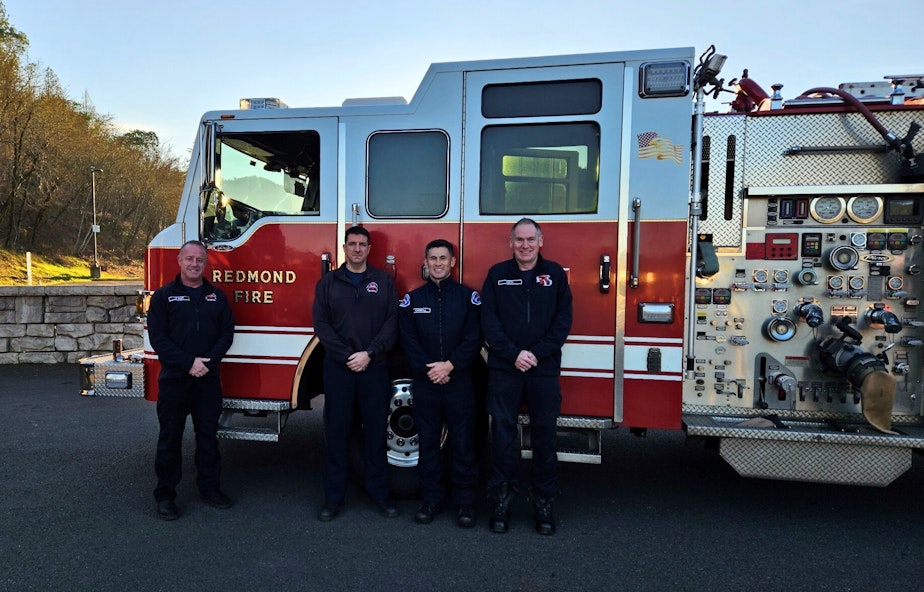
(453, 403)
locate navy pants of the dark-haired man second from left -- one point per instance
(345, 392)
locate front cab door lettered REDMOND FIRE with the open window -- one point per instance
(271, 226)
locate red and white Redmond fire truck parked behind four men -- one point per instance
(750, 277)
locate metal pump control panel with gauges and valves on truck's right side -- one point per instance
(813, 267)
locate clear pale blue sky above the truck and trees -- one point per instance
(158, 66)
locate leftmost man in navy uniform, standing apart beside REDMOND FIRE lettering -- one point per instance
(191, 328)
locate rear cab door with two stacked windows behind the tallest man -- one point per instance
(535, 139)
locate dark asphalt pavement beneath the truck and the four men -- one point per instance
(660, 513)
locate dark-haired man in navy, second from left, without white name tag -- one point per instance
(356, 319)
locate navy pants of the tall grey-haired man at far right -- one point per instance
(542, 394)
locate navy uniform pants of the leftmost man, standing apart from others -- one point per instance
(178, 398)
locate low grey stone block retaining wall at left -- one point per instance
(53, 324)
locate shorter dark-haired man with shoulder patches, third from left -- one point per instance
(440, 326)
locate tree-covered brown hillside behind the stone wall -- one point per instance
(48, 144)
